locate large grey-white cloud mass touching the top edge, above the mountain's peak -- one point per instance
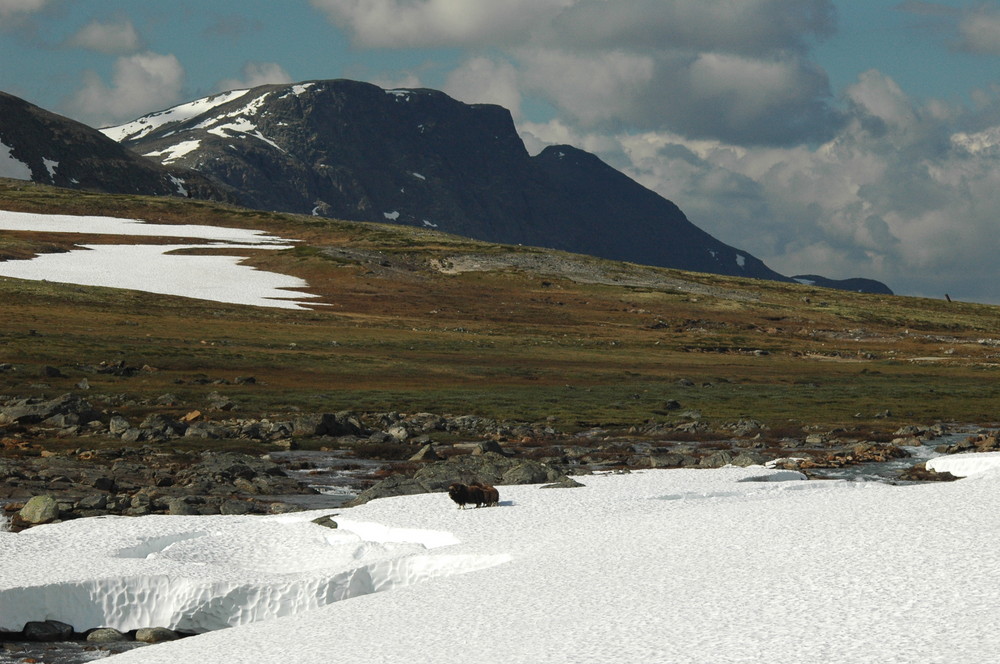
(739, 71)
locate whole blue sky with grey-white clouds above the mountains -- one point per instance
(833, 137)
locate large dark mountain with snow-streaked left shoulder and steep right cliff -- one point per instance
(354, 151)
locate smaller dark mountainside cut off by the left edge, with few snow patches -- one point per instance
(44, 147)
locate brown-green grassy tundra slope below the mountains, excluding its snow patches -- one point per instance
(416, 320)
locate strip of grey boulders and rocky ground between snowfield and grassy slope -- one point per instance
(71, 457)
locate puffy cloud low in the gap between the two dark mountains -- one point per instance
(141, 83)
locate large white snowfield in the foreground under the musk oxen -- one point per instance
(722, 566)
